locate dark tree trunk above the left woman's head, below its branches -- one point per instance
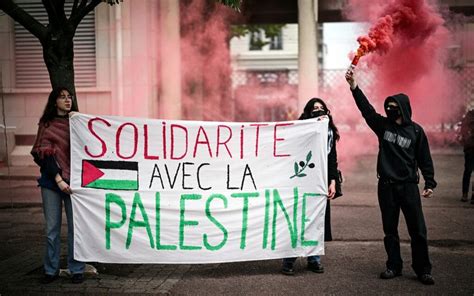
(58, 54)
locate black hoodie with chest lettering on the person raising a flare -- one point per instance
(403, 148)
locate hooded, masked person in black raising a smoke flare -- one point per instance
(403, 148)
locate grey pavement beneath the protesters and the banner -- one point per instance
(352, 261)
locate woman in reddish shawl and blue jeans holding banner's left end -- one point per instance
(51, 152)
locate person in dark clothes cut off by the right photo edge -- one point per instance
(467, 140)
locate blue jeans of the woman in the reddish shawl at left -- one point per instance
(52, 208)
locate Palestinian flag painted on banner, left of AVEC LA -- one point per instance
(114, 175)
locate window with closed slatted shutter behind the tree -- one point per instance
(30, 70)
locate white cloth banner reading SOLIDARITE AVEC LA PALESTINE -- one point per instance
(164, 191)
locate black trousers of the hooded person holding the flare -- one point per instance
(405, 196)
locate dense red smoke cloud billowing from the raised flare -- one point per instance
(408, 40)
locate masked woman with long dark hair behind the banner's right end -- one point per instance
(317, 108)
